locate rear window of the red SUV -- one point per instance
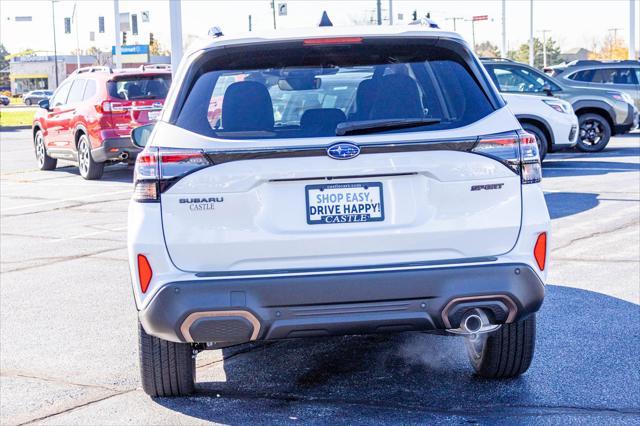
(139, 87)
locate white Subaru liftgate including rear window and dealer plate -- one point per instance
(282, 194)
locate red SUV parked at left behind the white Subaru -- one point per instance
(90, 116)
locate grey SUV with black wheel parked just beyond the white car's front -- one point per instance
(601, 113)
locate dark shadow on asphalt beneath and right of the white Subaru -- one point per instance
(586, 366)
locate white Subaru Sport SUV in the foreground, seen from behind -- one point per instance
(405, 198)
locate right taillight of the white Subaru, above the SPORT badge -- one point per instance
(517, 150)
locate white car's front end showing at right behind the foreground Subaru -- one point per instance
(551, 120)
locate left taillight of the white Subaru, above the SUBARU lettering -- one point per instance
(158, 168)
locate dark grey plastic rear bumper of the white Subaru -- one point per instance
(231, 311)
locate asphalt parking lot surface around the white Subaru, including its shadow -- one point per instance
(68, 323)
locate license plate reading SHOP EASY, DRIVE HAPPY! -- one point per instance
(344, 203)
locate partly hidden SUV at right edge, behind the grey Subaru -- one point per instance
(623, 76)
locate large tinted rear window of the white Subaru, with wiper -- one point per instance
(292, 90)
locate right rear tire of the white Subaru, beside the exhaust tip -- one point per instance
(505, 353)
